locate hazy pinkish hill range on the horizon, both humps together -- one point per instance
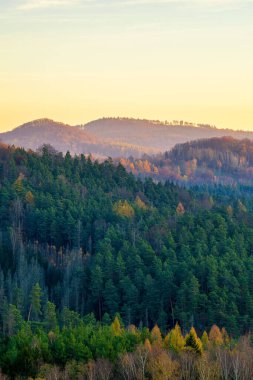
(114, 137)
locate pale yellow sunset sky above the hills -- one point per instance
(78, 60)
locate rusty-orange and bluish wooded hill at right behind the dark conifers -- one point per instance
(218, 160)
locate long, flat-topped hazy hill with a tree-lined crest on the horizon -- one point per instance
(156, 134)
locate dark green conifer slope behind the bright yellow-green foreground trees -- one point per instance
(95, 239)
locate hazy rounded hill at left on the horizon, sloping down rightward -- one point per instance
(65, 138)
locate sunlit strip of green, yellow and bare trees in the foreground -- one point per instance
(71, 347)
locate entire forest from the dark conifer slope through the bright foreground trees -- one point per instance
(93, 260)
